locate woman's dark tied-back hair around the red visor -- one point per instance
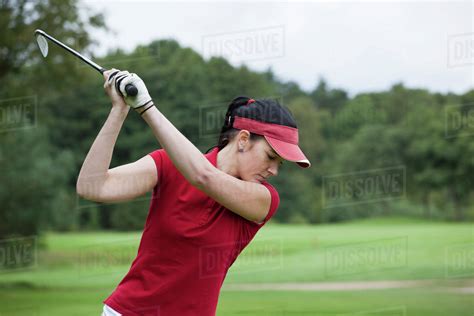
(262, 110)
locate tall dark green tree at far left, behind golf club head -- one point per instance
(34, 191)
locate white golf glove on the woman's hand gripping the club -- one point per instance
(142, 101)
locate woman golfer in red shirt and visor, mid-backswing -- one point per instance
(205, 209)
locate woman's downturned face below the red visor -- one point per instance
(259, 161)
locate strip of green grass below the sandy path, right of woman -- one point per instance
(385, 302)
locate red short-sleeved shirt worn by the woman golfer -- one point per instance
(188, 244)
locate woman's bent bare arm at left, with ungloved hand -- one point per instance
(96, 181)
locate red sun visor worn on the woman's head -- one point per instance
(283, 139)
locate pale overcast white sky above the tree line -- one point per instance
(356, 46)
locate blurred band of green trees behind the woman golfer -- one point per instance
(341, 134)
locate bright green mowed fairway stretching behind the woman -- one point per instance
(76, 271)
